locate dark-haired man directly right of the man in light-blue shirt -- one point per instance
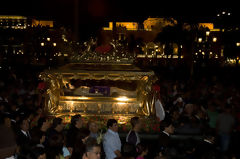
(132, 136)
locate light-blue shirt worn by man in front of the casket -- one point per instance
(111, 143)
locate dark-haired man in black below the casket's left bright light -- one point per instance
(75, 127)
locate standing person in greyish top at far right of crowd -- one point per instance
(224, 127)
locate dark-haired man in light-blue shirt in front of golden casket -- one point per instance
(111, 142)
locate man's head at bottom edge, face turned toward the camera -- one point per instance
(92, 149)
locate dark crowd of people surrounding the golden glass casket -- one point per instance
(207, 106)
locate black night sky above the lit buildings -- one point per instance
(100, 11)
